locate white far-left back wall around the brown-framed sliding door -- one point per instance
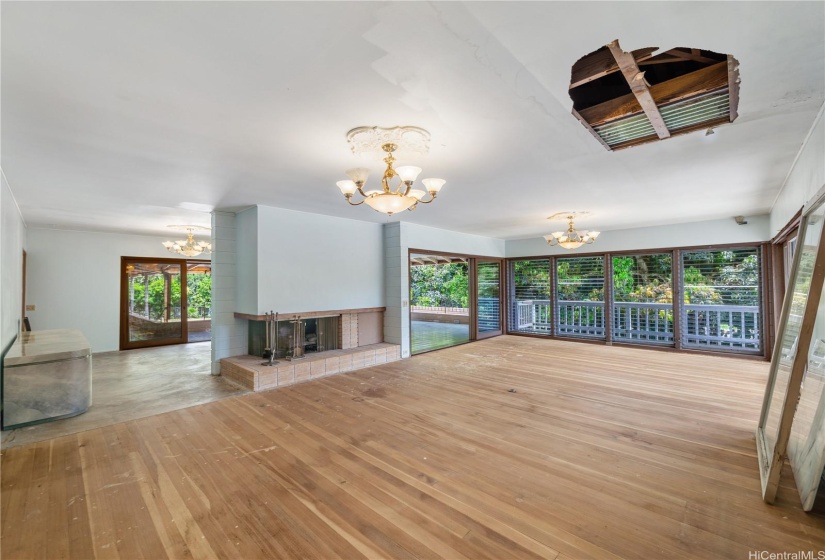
(74, 280)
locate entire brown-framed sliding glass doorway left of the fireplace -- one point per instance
(164, 301)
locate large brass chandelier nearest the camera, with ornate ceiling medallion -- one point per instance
(391, 198)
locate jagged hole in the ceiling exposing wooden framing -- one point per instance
(631, 98)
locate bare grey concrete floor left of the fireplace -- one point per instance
(136, 384)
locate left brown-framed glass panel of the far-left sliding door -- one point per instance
(153, 297)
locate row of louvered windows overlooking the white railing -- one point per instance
(714, 302)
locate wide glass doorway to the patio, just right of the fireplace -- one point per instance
(454, 299)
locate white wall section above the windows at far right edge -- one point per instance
(806, 177)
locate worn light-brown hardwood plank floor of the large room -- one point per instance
(507, 448)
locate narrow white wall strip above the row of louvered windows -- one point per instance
(675, 235)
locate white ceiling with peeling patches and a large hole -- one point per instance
(122, 116)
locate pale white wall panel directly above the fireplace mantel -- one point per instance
(311, 262)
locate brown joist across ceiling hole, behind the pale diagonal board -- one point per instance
(710, 78)
